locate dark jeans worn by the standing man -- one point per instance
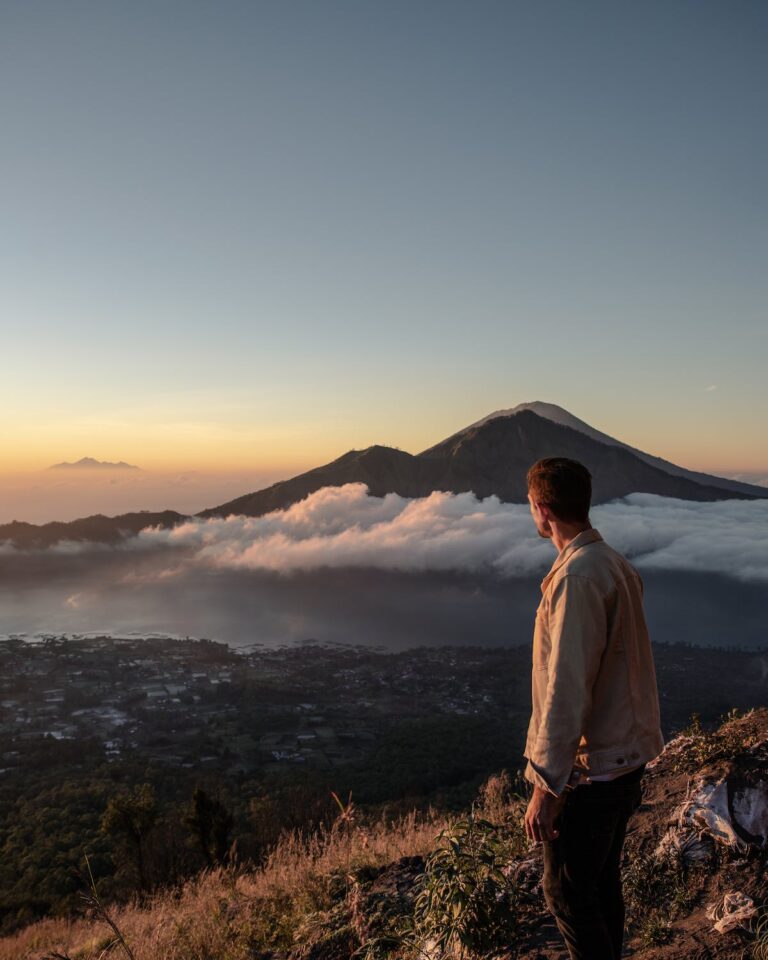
(582, 879)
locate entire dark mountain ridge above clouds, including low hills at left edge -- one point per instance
(489, 458)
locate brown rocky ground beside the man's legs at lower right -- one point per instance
(700, 836)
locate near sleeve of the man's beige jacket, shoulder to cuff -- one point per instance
(578, 631)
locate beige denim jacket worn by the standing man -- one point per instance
(595, 701)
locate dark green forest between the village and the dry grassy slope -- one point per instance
(144, 825)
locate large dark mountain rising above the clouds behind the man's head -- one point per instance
(492, 457)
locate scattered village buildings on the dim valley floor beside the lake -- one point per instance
(201, 704)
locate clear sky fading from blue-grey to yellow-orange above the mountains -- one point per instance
(247, 237)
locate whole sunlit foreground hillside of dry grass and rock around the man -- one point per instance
(429, 886)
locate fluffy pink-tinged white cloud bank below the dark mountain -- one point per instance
(343, 526)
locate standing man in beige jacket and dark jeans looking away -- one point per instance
(595, 718)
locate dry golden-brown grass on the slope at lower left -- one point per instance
(229, 913)
